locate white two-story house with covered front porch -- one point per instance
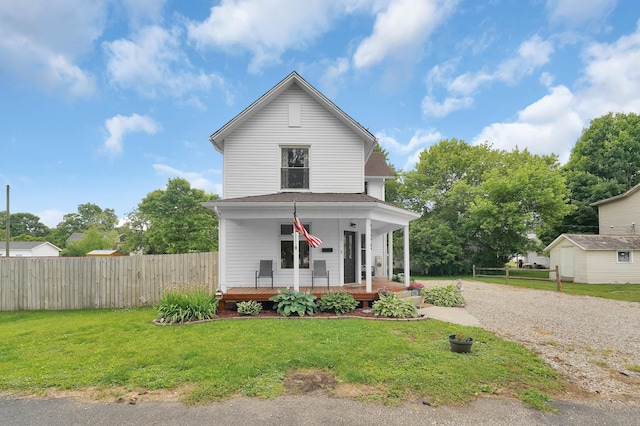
(294, 146)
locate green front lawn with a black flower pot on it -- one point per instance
(389, 361)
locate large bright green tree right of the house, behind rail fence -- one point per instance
(479, 205)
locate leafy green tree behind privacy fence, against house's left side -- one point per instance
(172, 221)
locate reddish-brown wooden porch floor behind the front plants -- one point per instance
(358, 291)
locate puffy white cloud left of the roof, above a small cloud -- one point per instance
(153, 64)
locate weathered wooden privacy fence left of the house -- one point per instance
(56, 283)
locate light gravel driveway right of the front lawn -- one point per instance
(593, 342)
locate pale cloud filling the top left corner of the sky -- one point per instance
(40, 42)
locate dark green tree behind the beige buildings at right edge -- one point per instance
(604, 162)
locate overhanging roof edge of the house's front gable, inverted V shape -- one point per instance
(217, 138)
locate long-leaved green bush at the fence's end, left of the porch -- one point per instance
(184, 305)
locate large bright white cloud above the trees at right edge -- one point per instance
(552, 124)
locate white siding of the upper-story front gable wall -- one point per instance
(252, 152)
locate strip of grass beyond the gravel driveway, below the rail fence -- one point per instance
(626, 292)
